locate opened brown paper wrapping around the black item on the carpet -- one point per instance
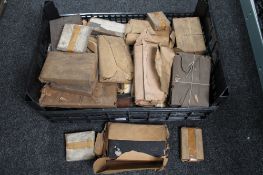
(132, 160)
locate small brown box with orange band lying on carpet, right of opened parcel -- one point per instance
(191, 145)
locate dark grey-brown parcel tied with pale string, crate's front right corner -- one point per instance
(190, 80)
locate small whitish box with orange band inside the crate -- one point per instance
(74, 38)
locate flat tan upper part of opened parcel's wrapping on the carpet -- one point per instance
(118, 131)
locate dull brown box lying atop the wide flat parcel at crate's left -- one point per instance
(70, 69)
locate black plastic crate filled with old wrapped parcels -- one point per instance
(218, 88)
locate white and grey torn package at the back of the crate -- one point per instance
(106, 27)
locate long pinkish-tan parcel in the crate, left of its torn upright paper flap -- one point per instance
(147, 85)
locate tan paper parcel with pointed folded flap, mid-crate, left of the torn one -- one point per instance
(115, 62)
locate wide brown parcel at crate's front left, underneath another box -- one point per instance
(104, 96)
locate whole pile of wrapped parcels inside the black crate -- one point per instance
(100, 63)
